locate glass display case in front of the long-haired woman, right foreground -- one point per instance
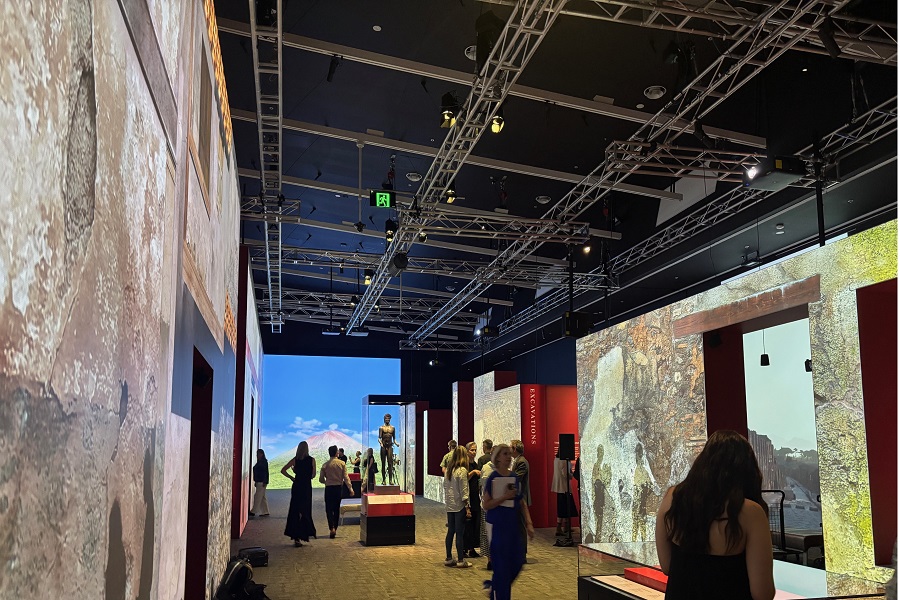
(602, 576)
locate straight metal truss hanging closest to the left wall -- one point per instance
(266, 43)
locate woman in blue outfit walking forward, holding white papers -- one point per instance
(507, 547)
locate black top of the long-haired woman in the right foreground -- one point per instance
(707, 576)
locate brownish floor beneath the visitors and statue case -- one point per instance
(343, 568)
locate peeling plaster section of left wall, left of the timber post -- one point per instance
(83, 356)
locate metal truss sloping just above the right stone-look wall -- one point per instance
(872, 126)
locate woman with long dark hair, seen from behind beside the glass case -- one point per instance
(712, 529)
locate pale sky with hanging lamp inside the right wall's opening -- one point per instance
(780, 396)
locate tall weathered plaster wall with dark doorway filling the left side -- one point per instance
(92, 203)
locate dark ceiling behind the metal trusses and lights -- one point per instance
(582, 90)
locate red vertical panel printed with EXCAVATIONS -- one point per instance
(534, 437)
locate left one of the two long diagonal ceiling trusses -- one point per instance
(522, 34)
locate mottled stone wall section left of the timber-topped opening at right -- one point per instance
(640, 396)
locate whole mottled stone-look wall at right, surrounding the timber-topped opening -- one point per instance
(642, 403)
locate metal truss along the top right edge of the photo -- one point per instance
(858, 38)
